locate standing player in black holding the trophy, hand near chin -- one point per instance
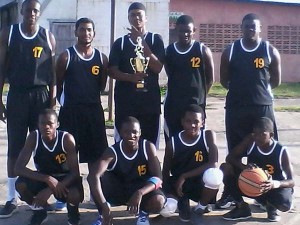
(145, 106)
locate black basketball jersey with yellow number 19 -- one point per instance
(249, 75)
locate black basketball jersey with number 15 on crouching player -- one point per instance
(131, 170)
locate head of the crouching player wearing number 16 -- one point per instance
(192, 119)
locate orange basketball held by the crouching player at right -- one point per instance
(250, 180)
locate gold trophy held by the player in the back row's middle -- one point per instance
(140, 64)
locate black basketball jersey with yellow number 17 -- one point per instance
(29, 59)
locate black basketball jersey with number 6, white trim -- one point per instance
(82, 83)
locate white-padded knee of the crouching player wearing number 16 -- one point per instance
(213, 178)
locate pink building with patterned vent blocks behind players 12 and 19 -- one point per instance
(218, 24)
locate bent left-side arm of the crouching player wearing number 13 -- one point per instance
(21, 168)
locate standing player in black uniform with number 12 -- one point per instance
(190, 69)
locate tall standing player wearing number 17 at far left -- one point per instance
(26, 60)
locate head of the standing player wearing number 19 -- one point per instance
(251, 26)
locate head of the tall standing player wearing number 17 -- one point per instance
(30, 10)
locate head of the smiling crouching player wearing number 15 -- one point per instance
(130, 132)
